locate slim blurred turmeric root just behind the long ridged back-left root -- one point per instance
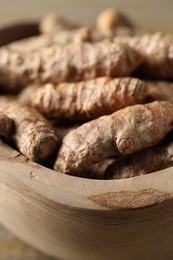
(37, 42)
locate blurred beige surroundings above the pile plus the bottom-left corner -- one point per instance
(153, 14)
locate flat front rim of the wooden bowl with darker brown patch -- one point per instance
(75, 192)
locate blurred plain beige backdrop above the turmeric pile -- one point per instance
(154, 14)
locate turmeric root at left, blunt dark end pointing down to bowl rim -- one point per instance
(34, 136)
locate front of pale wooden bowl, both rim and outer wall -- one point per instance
(75, 218)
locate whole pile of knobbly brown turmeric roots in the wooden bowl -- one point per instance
(94, 102)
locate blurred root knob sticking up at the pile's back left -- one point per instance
(52, 23)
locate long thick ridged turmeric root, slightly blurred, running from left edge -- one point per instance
(72, 62)
